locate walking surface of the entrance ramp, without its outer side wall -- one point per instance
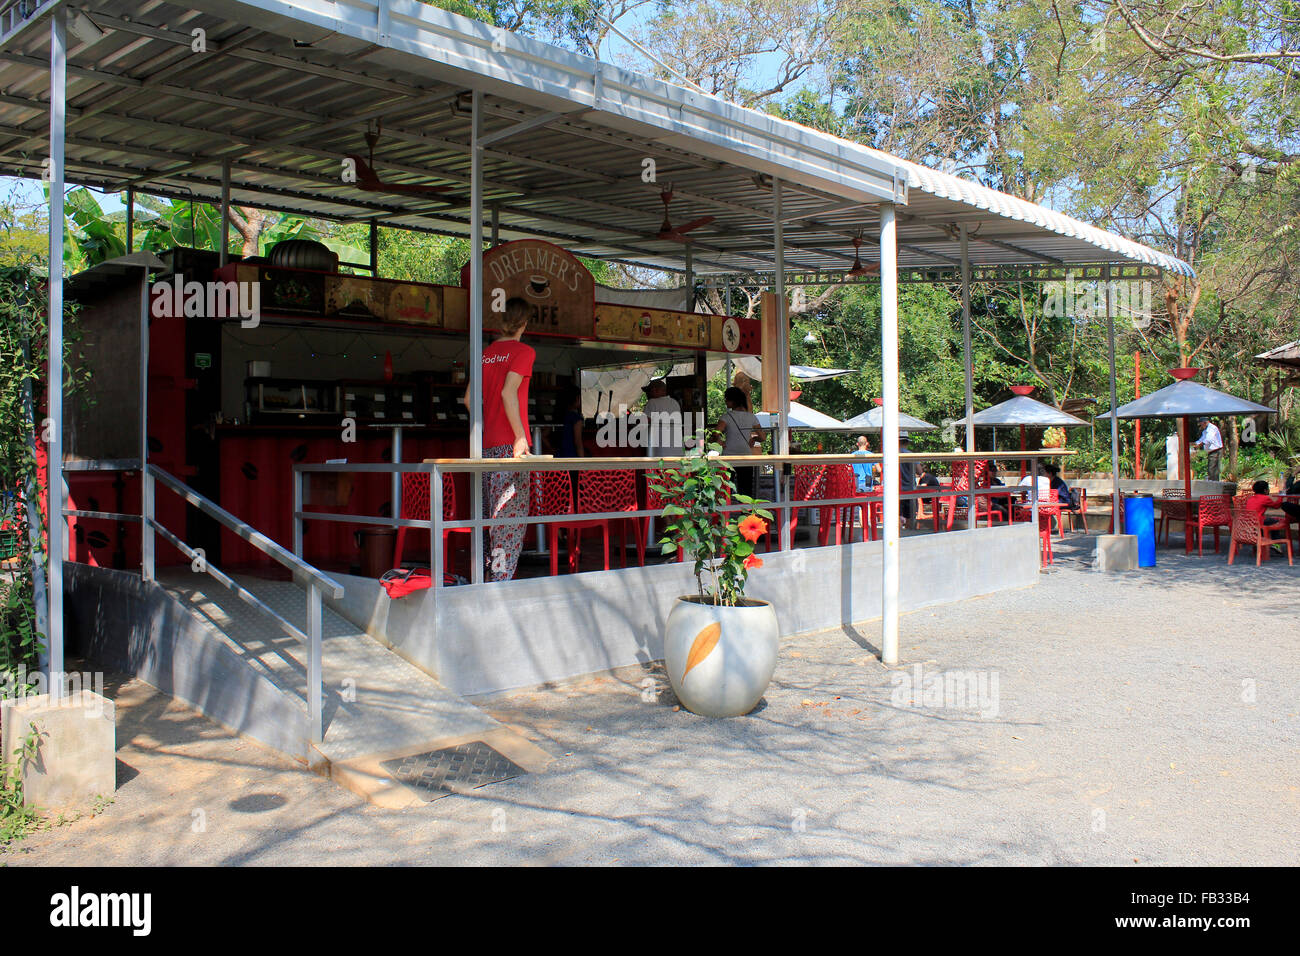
(378, 707)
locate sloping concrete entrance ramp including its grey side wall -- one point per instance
(231, 663)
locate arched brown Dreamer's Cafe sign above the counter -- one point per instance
(553, 282)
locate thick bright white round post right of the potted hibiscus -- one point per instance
(890, 432)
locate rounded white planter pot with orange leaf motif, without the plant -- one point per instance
(721, 660)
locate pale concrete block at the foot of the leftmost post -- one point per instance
(77, 751)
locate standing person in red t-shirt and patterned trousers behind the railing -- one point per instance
(506, 369)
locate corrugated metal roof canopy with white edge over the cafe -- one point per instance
(287, 90)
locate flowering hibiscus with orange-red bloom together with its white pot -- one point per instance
(720, 647)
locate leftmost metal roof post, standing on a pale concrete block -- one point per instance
(55, 397)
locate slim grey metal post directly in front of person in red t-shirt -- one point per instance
(476, 331)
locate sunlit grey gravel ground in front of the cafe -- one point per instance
(1149, 717)
